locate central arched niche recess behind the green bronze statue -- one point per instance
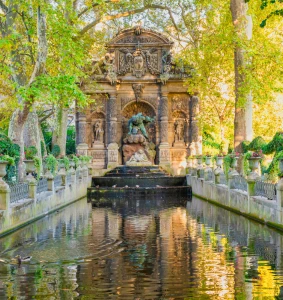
(134, 108)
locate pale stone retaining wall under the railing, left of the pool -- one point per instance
(25, 211)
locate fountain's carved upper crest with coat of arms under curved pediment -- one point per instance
(138, 53)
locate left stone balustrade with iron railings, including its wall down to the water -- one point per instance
(25, 202)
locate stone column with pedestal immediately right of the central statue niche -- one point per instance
(164, 151)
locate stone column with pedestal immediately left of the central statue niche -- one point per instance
(112, 148)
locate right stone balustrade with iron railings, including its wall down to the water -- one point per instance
(251, 197)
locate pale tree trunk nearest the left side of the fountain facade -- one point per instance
(60, 133)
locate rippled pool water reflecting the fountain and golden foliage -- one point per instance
(143, 249)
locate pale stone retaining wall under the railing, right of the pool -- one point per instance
(255, 207)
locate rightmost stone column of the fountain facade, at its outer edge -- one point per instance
(195, 138)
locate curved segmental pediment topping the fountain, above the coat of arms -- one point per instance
(141, 36)
